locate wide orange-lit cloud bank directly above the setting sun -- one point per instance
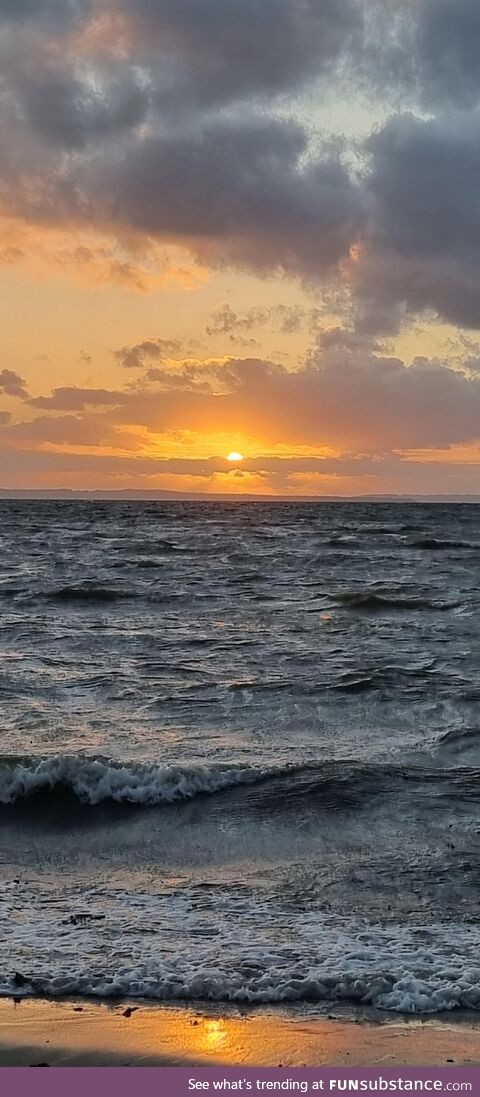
(427, 405)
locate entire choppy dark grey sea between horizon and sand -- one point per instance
(241, 753)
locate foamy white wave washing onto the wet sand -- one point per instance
(421, 972)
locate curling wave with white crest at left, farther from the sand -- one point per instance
(277, 789)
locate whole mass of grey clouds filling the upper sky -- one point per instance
(155, 123)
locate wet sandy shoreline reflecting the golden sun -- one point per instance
(79, 1033)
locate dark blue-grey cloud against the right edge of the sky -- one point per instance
(422, 248)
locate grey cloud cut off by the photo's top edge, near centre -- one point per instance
(223, 50)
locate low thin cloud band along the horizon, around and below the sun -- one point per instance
(295, 477)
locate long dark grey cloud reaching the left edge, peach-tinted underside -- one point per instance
(243, 193)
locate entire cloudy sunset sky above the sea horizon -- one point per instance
(246, 227)
